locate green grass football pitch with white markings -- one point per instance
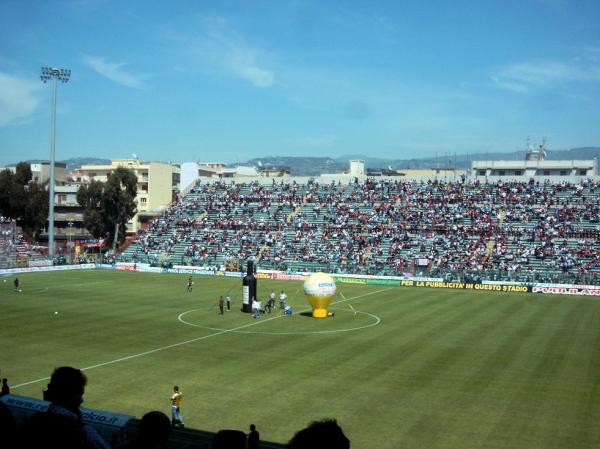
(407, 368)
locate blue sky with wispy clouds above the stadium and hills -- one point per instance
(232, 80)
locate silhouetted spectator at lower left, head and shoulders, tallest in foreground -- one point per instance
(62, 426)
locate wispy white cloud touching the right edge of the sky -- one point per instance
(527, 76)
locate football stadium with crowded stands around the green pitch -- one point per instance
(459, 315)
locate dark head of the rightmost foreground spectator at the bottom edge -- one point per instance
(325, 434)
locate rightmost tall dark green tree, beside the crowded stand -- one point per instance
(118, 201)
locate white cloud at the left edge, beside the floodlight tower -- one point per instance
(18, 99)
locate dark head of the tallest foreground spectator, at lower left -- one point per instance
(66, 388)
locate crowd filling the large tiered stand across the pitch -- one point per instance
(511, 230)
